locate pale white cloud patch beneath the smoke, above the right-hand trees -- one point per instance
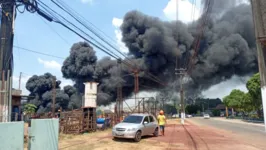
(222, 89)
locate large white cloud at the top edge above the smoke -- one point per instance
(185, 9)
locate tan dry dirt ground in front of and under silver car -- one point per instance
(102, 140)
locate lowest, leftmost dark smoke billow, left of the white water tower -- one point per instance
(40, 88)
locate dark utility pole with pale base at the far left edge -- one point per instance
(6, 48)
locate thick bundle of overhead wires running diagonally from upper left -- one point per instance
(53, 16)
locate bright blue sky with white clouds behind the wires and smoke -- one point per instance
(35, 33)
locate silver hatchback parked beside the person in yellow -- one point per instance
(135, 126)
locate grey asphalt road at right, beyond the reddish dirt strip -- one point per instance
(246, 130)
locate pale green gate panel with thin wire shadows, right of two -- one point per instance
(43, 134)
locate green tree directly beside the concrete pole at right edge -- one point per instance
(253, 86)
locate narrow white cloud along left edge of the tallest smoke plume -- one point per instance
(118, 34)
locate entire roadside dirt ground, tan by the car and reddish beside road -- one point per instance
(177, 137)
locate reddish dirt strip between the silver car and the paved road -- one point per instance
(193, 137)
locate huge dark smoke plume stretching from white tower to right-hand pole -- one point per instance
(227, 48)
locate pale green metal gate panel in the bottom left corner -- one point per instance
(12, 135)
